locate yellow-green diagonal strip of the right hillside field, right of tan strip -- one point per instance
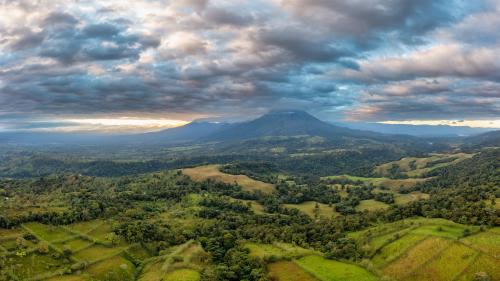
(447, 265)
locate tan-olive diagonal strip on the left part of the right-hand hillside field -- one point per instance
(416, 257)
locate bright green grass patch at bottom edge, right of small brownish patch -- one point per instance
(330, 270)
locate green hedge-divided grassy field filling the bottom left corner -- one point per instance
(103, 262)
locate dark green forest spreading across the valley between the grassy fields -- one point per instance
(458, 192)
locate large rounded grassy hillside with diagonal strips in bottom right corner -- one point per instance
(431, 249)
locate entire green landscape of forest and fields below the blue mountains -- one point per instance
(372, 213)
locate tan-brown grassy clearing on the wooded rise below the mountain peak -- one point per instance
(203, 173)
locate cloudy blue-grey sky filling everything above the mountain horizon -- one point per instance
(96, 65)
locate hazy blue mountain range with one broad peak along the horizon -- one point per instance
(275, 123)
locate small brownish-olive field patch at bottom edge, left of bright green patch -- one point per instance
(288, 271)
